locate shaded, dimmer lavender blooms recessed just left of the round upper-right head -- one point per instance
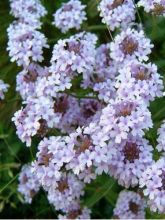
(101, 80)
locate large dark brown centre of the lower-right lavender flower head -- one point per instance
(131, 152)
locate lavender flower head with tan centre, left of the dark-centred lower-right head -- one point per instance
(87, 154)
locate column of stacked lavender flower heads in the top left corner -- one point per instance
(26, 43)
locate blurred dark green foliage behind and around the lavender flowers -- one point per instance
(101, 195)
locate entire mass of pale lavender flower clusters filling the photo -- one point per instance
(102, 133)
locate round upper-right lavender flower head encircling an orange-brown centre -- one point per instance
(130, 44)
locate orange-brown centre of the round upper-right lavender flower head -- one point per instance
(129, 46)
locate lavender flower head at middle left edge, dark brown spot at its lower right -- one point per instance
(35, 119)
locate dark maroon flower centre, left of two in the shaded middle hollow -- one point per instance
(61, 105)
